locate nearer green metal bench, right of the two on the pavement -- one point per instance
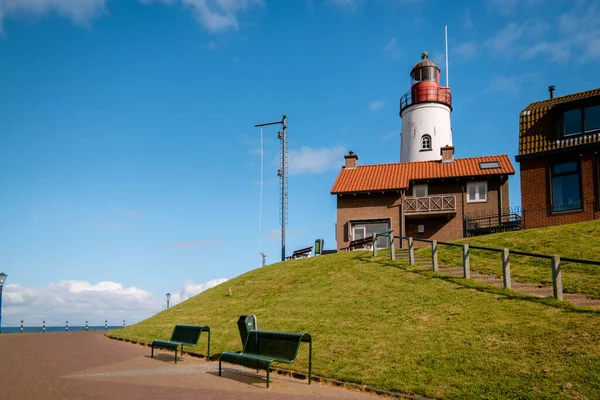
(263, 348)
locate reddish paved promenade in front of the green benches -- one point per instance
(86, 365)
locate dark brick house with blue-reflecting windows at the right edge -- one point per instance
(559, 146)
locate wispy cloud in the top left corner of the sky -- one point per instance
(78, 11)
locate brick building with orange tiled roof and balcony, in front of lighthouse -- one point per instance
(423, 199)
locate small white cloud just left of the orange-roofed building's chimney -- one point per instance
(309, 160)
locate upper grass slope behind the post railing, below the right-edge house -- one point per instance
(580, 240)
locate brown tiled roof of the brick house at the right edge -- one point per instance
(536, 130)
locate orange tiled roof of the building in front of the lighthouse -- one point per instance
(380, 177)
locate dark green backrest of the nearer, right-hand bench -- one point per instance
(281, 346)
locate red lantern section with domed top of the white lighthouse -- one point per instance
(425, 81)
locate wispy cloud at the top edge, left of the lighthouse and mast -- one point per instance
(216, 16)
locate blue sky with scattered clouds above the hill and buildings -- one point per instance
(129, 161)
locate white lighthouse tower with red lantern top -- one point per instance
(425, 112)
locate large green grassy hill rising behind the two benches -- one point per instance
(388, 325)
